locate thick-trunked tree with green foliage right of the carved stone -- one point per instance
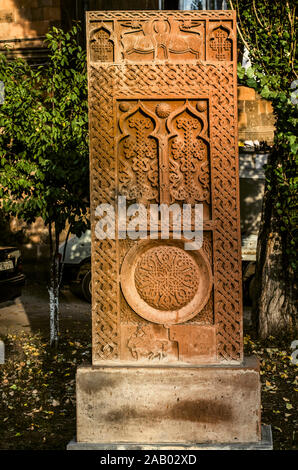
(268, 30)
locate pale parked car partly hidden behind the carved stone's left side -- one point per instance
(77, 264)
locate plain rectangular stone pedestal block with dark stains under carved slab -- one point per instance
(169, 404)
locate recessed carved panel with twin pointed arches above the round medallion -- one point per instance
(164, 148)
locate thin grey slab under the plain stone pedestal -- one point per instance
(266, 443)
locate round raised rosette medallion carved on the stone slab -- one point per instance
(165, 284)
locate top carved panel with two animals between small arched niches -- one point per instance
(151, 38)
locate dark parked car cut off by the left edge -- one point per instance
(11, 277)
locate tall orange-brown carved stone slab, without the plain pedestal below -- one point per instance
(185, 101)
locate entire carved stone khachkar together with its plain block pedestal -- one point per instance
(167, 323)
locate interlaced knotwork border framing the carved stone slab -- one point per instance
(214, 81)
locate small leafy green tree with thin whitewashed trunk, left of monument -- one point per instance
(44, 147)
